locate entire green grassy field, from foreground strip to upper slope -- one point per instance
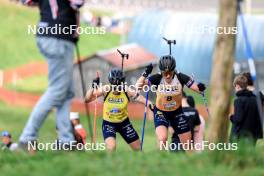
(17, 48)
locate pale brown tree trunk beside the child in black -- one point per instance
(221, 77)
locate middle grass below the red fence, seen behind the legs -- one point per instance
(13, 119)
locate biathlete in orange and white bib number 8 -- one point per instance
(168, 109)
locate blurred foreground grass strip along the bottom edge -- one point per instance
(126, 163)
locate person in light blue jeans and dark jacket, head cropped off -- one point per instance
(56, 37)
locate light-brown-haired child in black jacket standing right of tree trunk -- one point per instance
(246, 123)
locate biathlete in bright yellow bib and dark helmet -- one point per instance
(115, 109)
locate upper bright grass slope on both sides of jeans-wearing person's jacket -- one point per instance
(17, 47)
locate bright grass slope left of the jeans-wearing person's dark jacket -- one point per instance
(16, 46)
